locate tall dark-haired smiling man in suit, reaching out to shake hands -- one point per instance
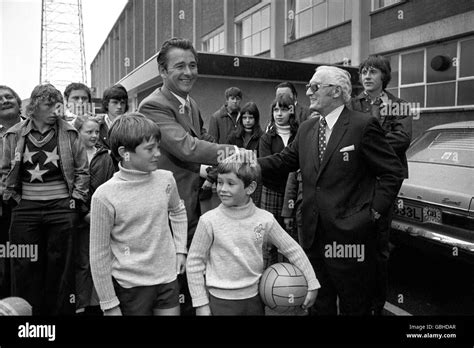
(185, 144)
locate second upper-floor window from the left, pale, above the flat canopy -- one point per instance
(253, 33)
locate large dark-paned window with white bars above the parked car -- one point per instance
(416, 79)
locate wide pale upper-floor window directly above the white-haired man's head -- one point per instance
(310, 16)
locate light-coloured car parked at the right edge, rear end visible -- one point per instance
(435, 205)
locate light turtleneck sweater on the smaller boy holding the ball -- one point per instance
(227, 247)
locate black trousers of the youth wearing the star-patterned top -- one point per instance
(48, 282)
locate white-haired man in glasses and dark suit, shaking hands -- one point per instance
(341, 155)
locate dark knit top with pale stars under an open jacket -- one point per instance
(40, 173)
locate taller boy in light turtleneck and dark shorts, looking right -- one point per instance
(134, 256)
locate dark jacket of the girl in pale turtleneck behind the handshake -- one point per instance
(271, 143)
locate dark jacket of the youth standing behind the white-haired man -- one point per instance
(397, 127)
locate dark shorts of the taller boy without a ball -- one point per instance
(142, 300)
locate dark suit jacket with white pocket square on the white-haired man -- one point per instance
(341, 191)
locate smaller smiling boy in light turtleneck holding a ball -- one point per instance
(227, 247)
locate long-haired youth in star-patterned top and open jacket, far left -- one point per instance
(46, 180)
